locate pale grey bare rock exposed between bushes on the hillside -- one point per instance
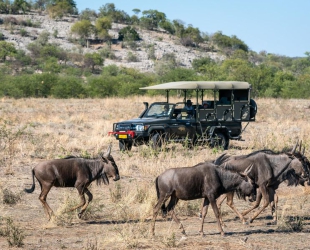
(163, 43)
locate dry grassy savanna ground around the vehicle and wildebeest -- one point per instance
(33, 130)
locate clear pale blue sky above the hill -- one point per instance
(277, 26)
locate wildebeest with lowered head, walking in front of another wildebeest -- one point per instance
(204, 180)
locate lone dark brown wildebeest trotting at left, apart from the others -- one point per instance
(73, 172)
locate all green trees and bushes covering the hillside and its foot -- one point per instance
(49, 71)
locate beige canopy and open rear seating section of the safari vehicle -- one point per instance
(230, 101)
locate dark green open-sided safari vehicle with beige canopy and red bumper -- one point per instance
(229, 105)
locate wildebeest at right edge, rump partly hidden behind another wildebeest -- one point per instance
(269, 170)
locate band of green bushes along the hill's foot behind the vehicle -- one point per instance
(268, 79)
